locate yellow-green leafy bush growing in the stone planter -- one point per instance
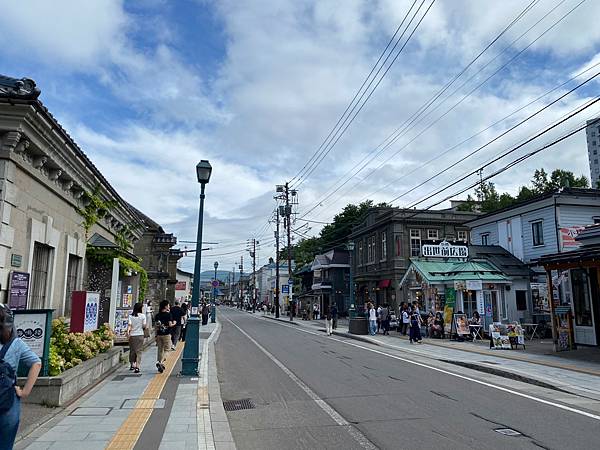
(69, 349)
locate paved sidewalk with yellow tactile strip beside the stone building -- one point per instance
(147, 410)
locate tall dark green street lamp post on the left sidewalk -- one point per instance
(189, 361)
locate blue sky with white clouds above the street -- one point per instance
(147, 88)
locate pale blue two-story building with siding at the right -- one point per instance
(547, 224)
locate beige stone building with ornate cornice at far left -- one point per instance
(46, 184)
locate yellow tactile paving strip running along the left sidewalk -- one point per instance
(128, 434)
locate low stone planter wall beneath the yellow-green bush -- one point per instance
(61, 389)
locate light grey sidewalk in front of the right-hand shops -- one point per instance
(562, 372)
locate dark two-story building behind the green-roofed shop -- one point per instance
(386, 240)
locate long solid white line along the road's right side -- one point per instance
(447, 372)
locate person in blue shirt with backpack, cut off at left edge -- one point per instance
(13, 351)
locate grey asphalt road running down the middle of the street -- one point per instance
(391, 402)
